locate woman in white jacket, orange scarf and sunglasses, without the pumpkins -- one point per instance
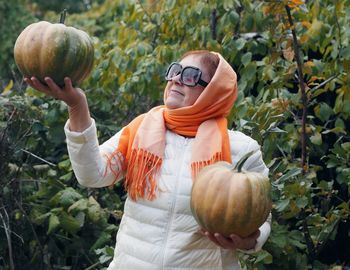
(159, 154)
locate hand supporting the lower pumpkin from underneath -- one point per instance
(234, 241)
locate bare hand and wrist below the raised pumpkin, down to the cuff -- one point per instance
(75, 98)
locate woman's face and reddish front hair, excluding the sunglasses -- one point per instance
(180, 95)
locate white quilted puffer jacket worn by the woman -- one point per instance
(161, 234)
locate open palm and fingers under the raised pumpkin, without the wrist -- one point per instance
(70, 95)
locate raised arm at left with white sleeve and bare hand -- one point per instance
(89, 160)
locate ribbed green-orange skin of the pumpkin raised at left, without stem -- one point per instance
(54, 50)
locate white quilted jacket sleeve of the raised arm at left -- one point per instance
(89, 159)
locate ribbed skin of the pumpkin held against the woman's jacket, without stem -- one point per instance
(228, 202)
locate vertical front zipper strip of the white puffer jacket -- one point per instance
(173, 203)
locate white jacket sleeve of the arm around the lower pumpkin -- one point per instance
(240, 145)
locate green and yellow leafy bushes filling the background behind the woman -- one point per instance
(48, 221)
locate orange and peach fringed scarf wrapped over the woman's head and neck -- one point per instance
(142, 142)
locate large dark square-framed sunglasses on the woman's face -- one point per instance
(190, 76)
